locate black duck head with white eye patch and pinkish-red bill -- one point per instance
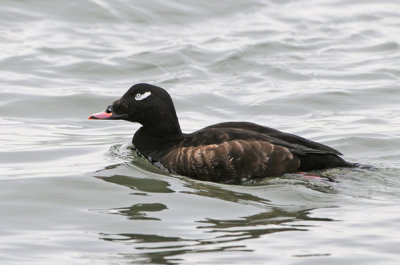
(148, 105)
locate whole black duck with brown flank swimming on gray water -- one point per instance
(225, 152)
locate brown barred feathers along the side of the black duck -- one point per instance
(231, 160)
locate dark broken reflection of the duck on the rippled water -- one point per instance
(214, 234)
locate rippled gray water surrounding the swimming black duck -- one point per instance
(72, 191)
